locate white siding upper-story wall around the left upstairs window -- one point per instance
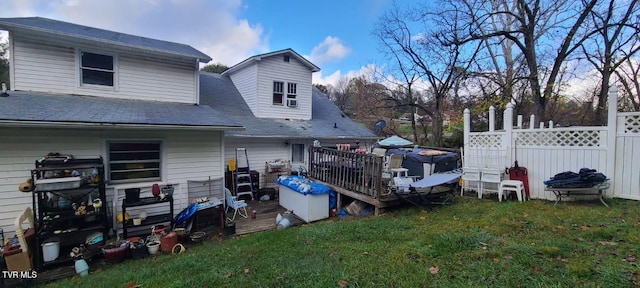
(51, 67)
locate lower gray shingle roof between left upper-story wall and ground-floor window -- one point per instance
(43, 108)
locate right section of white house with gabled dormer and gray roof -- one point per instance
(282, 129)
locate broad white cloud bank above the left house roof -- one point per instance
(211, 26)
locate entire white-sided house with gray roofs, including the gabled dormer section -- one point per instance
(76, 90)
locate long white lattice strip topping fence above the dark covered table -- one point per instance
(588, 138)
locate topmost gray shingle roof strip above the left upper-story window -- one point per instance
(55, 27)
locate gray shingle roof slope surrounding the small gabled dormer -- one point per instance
(219, 92)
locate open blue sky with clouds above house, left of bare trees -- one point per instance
(333, 34)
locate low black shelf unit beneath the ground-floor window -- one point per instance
(151, 219)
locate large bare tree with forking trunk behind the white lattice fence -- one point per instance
(545, 32)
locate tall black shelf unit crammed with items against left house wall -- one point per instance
(57, 219)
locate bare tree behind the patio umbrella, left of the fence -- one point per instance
(424, 48)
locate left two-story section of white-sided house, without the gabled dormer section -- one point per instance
(77, 91)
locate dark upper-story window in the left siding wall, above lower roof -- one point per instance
(97, 69)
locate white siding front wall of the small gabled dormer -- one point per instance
(275, 69)
